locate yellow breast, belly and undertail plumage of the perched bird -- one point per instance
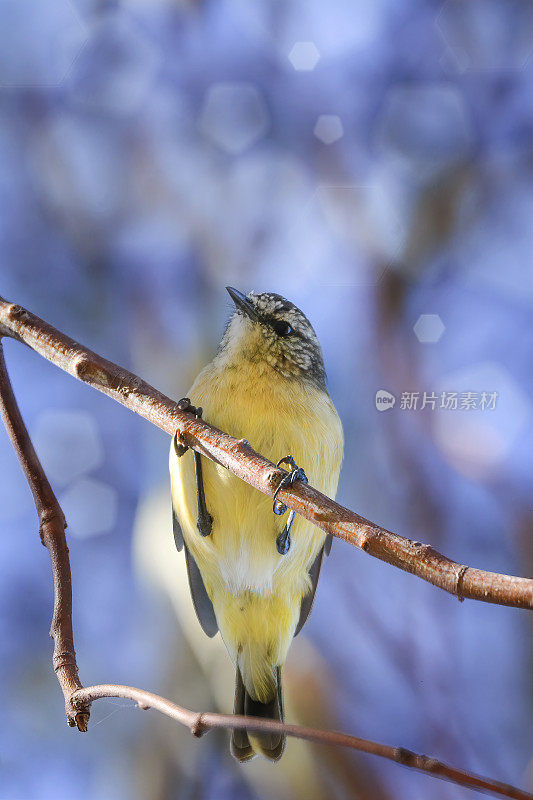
(239, 561)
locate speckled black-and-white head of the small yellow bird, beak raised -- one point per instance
(272, 332)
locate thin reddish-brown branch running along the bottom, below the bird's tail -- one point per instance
(200, 723)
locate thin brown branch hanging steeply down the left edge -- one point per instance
(52, 531)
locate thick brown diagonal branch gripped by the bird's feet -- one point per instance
(239, 457)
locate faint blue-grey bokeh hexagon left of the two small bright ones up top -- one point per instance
(234, 116)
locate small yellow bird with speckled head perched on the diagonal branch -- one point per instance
(253, 576)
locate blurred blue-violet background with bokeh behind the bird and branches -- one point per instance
(373, 163)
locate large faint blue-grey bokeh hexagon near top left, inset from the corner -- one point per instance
(117, 66)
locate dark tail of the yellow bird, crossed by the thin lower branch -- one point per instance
(244, 745)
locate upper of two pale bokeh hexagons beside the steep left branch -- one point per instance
(68, 443)
